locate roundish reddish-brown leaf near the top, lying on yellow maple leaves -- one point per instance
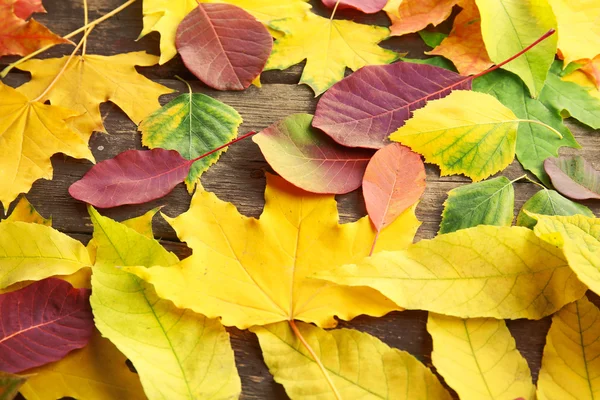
(223, 45)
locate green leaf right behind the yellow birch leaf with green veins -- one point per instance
(535, 143)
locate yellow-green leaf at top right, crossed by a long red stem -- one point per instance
(508, 27)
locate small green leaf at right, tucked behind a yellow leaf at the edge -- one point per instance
(549, 202)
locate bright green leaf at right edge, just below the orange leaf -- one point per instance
(570, 98)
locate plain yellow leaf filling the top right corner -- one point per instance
(578, 28)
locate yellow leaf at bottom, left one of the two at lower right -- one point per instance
(478, 358)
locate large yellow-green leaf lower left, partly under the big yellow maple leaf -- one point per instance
(178, 354)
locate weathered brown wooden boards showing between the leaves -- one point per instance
(238, 177)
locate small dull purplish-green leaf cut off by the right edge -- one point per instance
(574, 177)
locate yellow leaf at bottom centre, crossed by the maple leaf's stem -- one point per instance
(359, 365)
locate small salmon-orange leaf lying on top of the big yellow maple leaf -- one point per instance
(394, 181)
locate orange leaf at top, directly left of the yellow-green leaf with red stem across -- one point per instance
(464, 46)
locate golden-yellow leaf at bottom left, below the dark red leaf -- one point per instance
(96, 372)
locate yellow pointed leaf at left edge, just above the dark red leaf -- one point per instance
(31, 252)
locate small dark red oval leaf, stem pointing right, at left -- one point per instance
(132, 177)
